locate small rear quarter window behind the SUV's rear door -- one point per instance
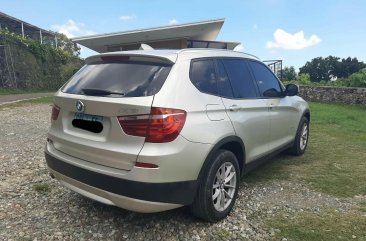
(203, 75)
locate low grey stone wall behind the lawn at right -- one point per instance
(344, 95)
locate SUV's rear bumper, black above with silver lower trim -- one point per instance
(127, 194)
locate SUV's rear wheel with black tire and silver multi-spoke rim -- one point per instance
(217, 194)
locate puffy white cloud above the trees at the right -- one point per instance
(295, 41)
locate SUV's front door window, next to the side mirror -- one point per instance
(267, 82)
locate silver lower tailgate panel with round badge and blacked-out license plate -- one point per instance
(111, 147)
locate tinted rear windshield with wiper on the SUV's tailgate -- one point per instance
(118, 79)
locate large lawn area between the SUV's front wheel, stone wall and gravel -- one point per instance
(335, 161)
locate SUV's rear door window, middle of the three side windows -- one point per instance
(240, 78)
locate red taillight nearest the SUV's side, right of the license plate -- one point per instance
(161, 125)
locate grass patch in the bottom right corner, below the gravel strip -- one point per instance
(326, 225)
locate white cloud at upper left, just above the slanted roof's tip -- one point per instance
(72, 29)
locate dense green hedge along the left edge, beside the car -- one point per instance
(37, 66)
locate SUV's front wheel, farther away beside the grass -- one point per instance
(301, 139)
